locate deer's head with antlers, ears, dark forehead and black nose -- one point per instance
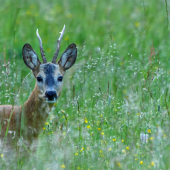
(49, 75)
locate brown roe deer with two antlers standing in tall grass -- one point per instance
(26, 121)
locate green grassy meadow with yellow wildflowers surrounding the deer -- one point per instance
(114, 111)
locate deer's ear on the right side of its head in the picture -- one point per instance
(69, 56)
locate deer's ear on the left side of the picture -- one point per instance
(30, 57)
